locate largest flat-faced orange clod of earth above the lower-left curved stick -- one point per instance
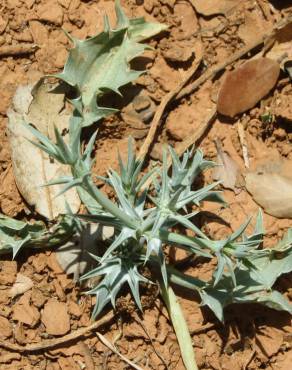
(55, 317)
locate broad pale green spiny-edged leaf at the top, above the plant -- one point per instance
(101, 63)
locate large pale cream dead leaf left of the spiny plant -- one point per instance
(32, 167)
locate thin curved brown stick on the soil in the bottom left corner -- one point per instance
(51, 343)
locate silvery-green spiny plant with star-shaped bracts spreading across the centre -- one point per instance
(144, 221)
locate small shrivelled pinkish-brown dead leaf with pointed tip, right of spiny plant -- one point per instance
(227, 170)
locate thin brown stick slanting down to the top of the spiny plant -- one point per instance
(159, 112)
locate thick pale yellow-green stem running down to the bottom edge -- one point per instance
(180, 327)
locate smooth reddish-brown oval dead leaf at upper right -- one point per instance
(244, 87)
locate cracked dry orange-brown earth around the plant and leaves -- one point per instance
(51, 304)
